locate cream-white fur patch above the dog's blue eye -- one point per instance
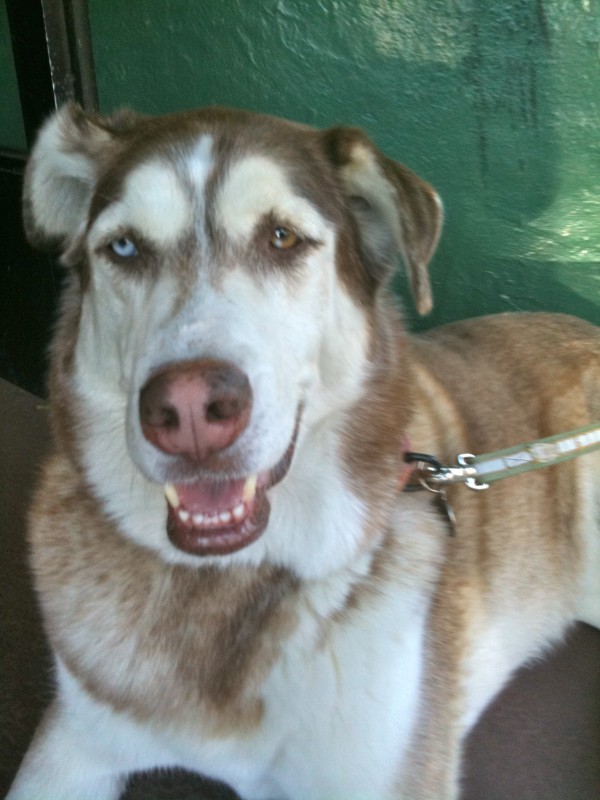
(153, 202)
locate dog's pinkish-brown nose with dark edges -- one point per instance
(195, 409)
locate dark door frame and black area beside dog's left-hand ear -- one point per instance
(53, 64)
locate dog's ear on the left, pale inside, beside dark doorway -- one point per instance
(62, 172)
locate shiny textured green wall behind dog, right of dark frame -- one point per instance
(497, 104)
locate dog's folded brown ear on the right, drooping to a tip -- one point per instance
(395, 210)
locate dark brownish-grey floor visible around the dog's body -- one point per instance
(540, 740)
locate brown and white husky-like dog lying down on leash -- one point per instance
(231, 577)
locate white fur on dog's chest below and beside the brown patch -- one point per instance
(338, 712)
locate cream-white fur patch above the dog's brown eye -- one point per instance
(256, 186)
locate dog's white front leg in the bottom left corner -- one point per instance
(62, 764)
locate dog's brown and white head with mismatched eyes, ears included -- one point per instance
(228, 269)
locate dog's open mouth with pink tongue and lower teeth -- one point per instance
(220, 516)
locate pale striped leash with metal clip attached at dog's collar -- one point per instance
(478, 472)
